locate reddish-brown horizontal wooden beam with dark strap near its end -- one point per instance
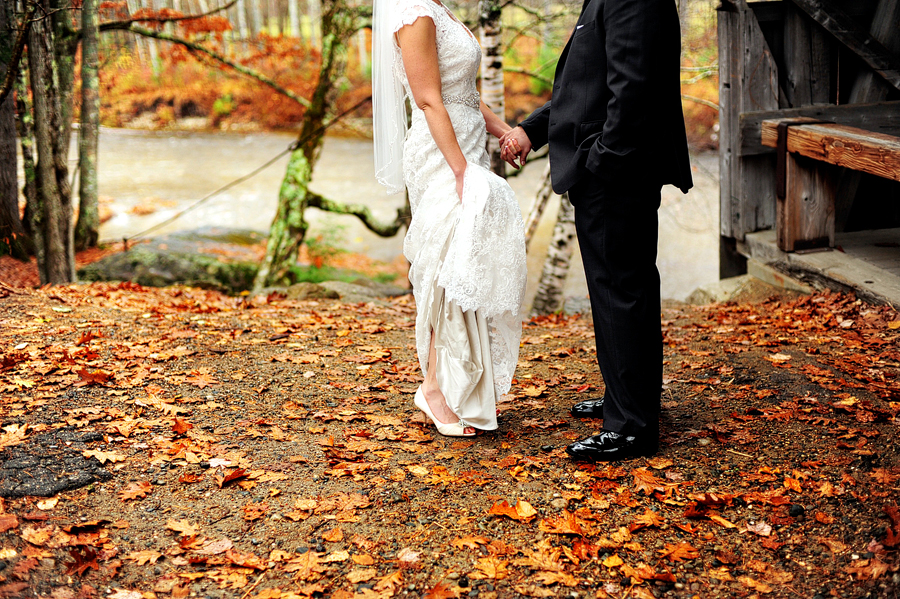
(848, 147)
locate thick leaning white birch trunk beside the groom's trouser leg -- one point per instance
(549, 296)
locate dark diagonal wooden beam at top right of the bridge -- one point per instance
(866, 47)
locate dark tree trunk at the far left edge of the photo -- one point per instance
(12, 234)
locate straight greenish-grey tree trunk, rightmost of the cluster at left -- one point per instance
(87, 231)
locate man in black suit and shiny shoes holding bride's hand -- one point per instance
(616, 132)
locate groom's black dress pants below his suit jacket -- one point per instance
(617, 229)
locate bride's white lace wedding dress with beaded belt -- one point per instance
(467, 258)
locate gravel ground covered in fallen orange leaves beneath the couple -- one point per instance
(270, 449)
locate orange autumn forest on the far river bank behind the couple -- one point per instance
(155, 85)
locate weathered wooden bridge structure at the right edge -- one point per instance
(810, 141)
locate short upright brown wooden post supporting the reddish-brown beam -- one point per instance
(806, 215)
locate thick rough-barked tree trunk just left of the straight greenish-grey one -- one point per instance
(52, 216)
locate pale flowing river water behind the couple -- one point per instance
(147, 177)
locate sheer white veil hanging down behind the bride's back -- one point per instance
(388, 106)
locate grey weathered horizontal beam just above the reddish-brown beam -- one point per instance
(882, 117)
